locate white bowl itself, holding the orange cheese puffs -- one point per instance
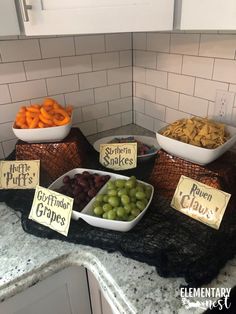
(43, 135)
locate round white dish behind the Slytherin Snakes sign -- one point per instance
(148, 140)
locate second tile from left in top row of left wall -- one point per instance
(57, 47)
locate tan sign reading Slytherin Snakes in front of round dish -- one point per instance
(118, 156)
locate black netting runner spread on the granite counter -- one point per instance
(175, 244)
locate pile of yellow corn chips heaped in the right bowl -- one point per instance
(197, 131)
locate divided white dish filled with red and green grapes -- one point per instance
(103, 199)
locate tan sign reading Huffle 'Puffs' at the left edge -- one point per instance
(19, 174)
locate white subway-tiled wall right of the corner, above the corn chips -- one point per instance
(177, 74)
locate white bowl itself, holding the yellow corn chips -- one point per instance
(195, 154)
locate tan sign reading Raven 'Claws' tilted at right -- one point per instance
(200, 201)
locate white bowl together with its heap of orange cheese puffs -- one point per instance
(45, 122)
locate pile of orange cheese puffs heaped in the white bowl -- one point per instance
(48, 114)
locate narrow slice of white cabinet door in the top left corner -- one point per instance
(8, 18)
